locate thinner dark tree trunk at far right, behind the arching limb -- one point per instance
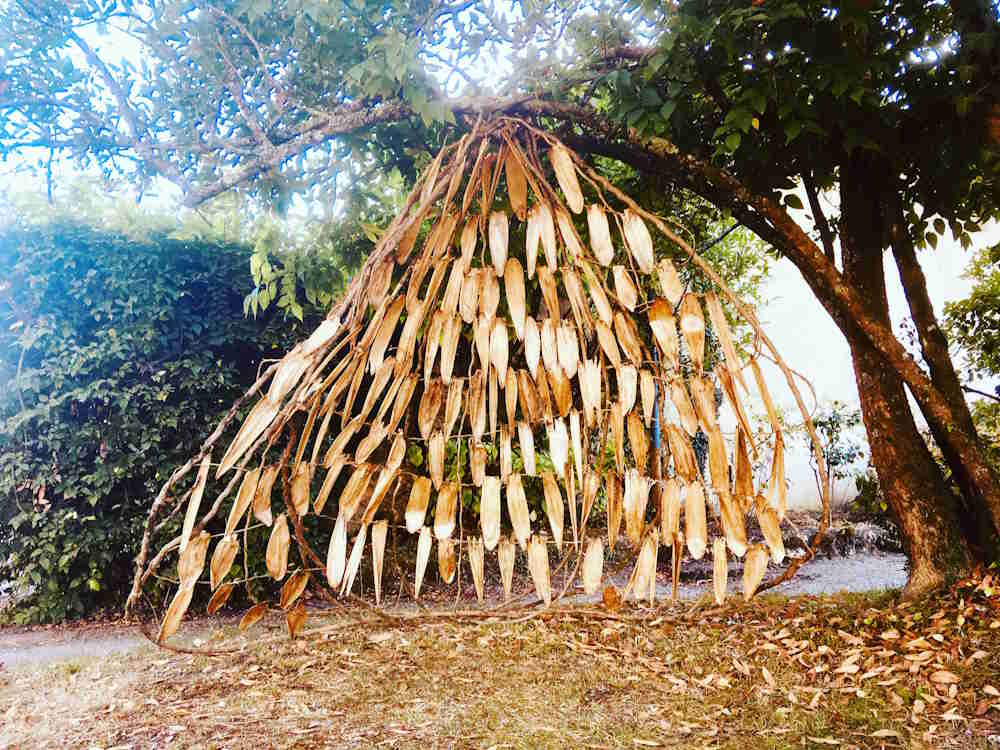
(975, 518)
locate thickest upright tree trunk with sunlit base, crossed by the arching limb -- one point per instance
(911, 480)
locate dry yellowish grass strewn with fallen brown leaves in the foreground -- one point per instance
(846, 671)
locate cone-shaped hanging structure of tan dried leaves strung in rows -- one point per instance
(516, 367)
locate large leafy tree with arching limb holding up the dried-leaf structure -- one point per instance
(893, 105)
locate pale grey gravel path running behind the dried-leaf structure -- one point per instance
(862, 572)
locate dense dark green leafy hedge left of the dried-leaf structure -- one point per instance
(117, 358)
